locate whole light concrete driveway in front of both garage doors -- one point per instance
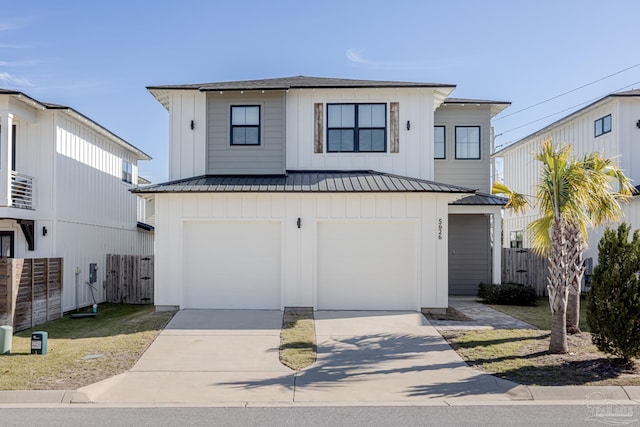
(223, 356)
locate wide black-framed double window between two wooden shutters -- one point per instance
(356, 128)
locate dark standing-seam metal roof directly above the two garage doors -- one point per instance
(304, 182)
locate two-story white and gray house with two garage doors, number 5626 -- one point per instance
(323, 193)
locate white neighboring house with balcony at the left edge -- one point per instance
(64, 191)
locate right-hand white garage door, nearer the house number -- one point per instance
(367, 266)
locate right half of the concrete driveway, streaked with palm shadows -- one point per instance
(391, 357)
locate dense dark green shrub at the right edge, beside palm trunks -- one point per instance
(613, 303)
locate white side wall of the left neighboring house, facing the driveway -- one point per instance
(95, 213)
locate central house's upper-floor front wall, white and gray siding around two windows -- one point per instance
(206, 149)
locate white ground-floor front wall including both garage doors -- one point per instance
(201, 233)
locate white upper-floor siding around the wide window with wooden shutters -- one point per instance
(415, 156)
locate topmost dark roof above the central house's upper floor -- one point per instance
(299, 82)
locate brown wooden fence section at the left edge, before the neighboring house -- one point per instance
(30, 291)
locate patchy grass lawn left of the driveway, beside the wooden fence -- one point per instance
(82, 351)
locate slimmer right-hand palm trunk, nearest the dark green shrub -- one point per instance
(576, 270)
